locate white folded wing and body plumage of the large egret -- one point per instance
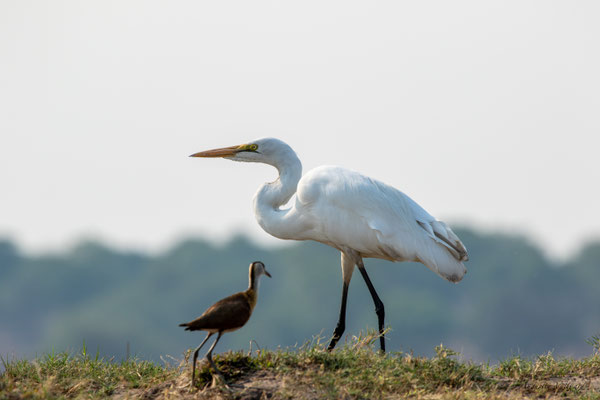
(377, 220)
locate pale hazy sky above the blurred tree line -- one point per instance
(485, 112)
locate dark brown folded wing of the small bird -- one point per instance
(227, 314)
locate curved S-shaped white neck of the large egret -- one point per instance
(271, 196)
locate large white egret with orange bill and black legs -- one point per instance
(358, 215)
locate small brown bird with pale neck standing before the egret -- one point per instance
(227, 315)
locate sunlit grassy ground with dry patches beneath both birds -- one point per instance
(353, 371)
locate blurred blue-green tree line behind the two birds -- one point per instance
(513, 300)
